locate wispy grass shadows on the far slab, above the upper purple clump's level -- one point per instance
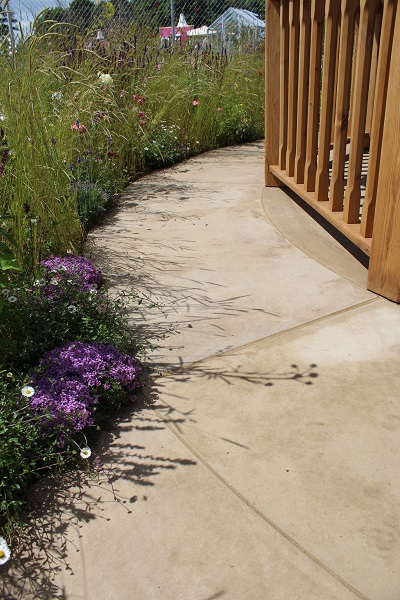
(167, 309)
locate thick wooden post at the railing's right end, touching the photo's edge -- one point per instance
(384, 269)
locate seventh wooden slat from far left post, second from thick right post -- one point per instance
(360, 98)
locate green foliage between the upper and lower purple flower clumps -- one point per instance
(39, 322)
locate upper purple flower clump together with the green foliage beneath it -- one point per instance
(68, 302)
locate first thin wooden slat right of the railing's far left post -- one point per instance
(284, 69)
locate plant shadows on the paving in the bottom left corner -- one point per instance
(60, 505)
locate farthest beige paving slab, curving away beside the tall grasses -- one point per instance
(203, 248)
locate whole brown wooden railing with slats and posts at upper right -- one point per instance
(333, 119)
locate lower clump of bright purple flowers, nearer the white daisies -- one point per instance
(80, 384)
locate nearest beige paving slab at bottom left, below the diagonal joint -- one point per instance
(176, 532)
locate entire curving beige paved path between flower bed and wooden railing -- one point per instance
(267, 467)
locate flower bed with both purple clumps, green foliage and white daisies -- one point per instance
(63, 374)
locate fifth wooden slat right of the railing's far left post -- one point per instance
(328, 79)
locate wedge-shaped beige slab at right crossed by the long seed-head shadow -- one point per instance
(305, 425)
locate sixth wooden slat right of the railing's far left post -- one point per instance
(342, 105)
